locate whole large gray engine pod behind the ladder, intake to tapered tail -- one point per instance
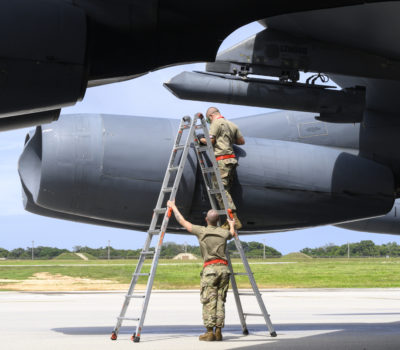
(108, 170)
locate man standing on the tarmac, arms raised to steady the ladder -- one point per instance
(215, 274)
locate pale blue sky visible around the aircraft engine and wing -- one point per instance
(144, 96)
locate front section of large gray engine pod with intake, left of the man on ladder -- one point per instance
(103, 167)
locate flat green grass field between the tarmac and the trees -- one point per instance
(269, 273)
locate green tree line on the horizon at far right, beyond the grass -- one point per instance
(363, 248)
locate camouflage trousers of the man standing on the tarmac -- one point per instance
(214, 287)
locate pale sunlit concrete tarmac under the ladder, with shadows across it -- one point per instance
(304, 319)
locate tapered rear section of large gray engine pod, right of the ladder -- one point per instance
(284, 185)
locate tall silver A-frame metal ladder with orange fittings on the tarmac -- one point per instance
(205, 155)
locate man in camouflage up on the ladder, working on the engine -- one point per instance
(223, 134)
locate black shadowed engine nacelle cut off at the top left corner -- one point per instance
(42, 56)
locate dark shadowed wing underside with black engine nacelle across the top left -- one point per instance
(52, 51)
